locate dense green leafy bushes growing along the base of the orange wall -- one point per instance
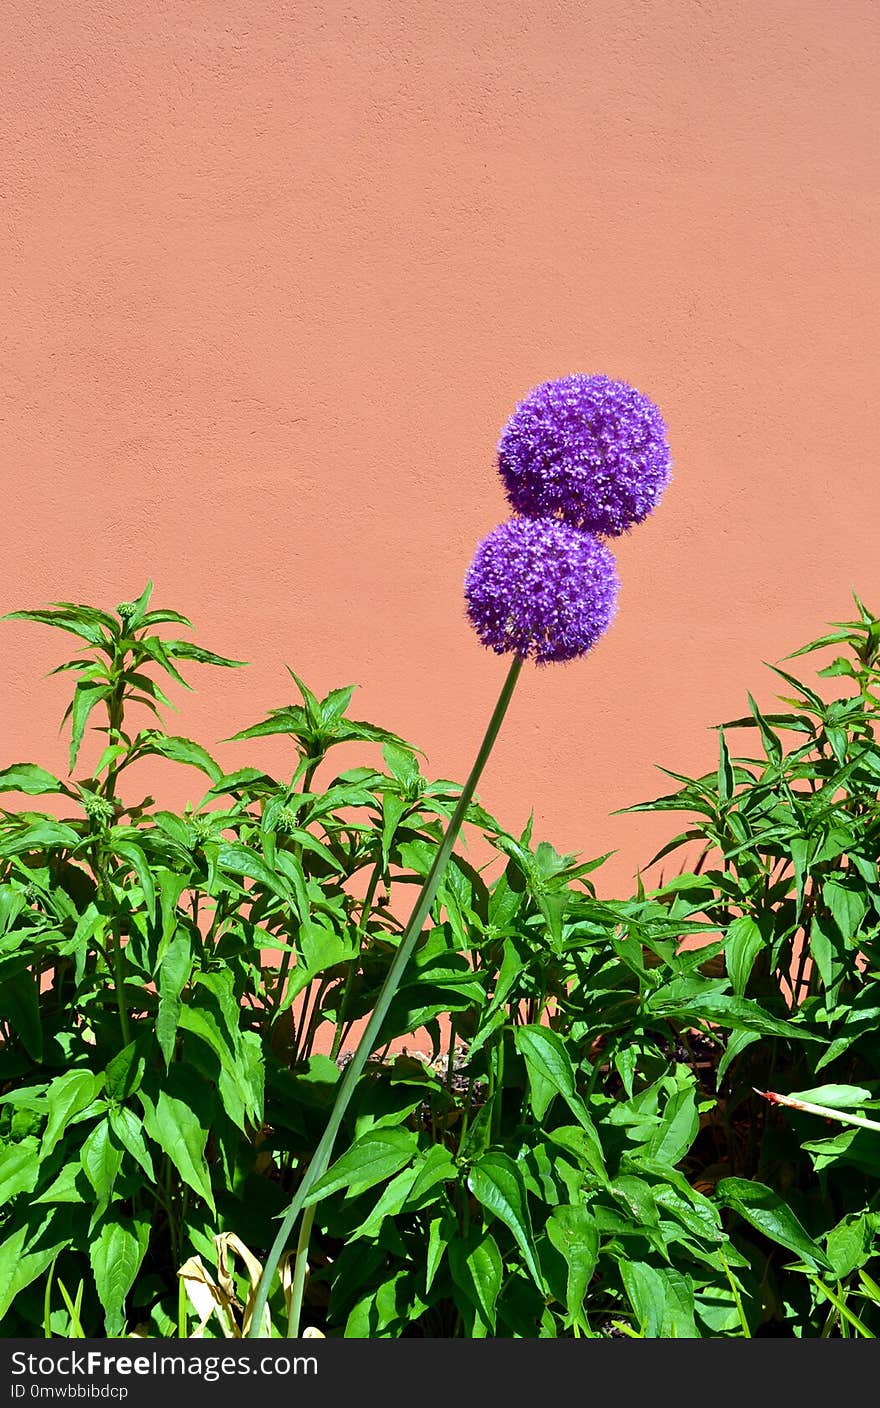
(560, 1134)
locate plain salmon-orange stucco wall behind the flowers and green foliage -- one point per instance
(275, 275)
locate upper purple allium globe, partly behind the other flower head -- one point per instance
(588, 450)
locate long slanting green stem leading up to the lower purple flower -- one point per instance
(351, 1076)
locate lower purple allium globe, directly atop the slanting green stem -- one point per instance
(541, 589)
